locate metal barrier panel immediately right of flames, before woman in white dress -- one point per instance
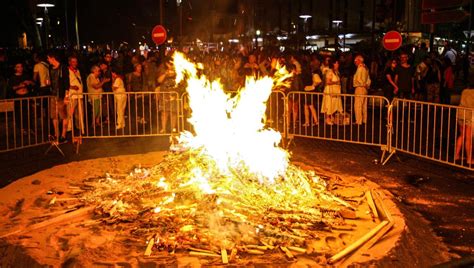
(333, 117)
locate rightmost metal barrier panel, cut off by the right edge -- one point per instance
(434, 131)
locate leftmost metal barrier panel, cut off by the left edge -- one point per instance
(24, 122)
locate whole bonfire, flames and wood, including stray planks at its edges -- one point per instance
(226, 190)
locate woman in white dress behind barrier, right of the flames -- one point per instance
(332, 102)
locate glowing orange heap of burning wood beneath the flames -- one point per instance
(186, 203)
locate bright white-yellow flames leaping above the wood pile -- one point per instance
(231, 130)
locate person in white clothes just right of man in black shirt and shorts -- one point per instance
(75, 94)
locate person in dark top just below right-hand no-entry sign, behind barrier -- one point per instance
(405, 78)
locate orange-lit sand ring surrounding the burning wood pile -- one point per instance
(27, 201)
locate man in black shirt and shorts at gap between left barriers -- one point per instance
(59, 75)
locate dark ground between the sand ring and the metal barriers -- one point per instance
(431, 196)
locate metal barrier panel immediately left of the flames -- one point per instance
(128, 114)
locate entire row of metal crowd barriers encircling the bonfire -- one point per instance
(441, 133)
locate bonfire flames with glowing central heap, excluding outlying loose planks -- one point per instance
(230, 185)
